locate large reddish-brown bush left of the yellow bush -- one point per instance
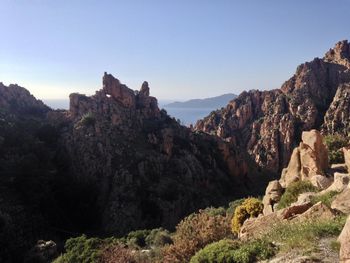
(193, 233)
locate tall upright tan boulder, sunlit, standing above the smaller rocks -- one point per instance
(308, 162)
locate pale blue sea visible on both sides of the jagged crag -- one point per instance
(187, 116)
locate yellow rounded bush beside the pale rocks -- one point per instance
(251, 207)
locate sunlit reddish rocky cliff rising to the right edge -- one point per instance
(268, 124)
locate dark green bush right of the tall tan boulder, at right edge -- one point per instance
(334, 144)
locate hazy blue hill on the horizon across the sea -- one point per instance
(214, 102)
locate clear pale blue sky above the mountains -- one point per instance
(185, 48)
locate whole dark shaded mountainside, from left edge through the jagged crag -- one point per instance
(112, 163)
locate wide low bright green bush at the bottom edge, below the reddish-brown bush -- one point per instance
(229, 251)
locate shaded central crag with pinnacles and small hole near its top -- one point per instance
(148, 169)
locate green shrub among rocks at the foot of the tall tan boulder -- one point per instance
(293, 191)
